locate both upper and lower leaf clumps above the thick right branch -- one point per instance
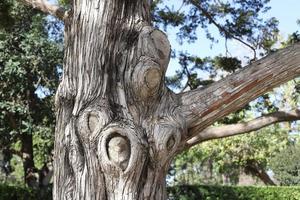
(234, 20)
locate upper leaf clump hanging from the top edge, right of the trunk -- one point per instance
(237, 19)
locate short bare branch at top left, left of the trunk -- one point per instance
(47, 8)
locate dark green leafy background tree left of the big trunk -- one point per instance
(29, 75)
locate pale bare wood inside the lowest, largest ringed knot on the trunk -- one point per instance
(118, 148)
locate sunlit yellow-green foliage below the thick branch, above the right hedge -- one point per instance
(210, 162)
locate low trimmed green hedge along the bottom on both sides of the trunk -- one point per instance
(178, 193)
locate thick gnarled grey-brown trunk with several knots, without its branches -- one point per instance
(118, 127)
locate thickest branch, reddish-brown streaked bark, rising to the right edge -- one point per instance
(203, 107)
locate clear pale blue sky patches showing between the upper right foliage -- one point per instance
(287, 12)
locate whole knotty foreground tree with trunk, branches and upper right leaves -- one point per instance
(118, 126)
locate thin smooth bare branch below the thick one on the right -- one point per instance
(244, 127)
